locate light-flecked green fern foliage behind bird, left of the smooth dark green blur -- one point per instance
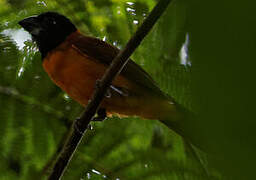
(35, 115)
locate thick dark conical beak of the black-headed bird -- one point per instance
(31, 25)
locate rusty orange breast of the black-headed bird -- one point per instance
(75, 72)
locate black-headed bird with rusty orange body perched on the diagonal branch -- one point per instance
(75, 62)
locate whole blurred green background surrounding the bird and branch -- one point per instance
(201, 53)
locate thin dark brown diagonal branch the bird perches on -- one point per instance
(81, 124)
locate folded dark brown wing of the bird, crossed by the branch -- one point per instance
(105, 53)
